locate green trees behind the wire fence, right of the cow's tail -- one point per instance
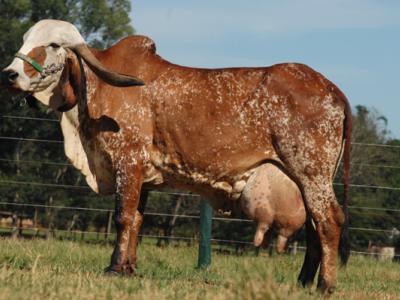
(372, 166)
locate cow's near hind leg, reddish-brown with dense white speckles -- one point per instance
(312, 165)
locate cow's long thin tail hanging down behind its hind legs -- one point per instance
(344, 242)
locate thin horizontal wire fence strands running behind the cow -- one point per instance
(353, 209)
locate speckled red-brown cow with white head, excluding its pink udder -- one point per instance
(205, 130)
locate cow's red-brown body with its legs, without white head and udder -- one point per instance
(206, 130)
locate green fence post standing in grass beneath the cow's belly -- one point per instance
(204, 258)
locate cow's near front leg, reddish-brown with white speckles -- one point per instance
(128, 185)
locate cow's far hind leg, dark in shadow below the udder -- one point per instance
(312, 258)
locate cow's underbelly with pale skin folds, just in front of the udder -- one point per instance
(223, 191)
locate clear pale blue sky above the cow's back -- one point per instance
(354, 43)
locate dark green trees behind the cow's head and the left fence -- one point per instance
(101, 22)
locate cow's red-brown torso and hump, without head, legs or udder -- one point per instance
(212, 126)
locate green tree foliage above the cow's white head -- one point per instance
(101, 22)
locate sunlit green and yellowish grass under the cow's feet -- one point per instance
(40, 269)
